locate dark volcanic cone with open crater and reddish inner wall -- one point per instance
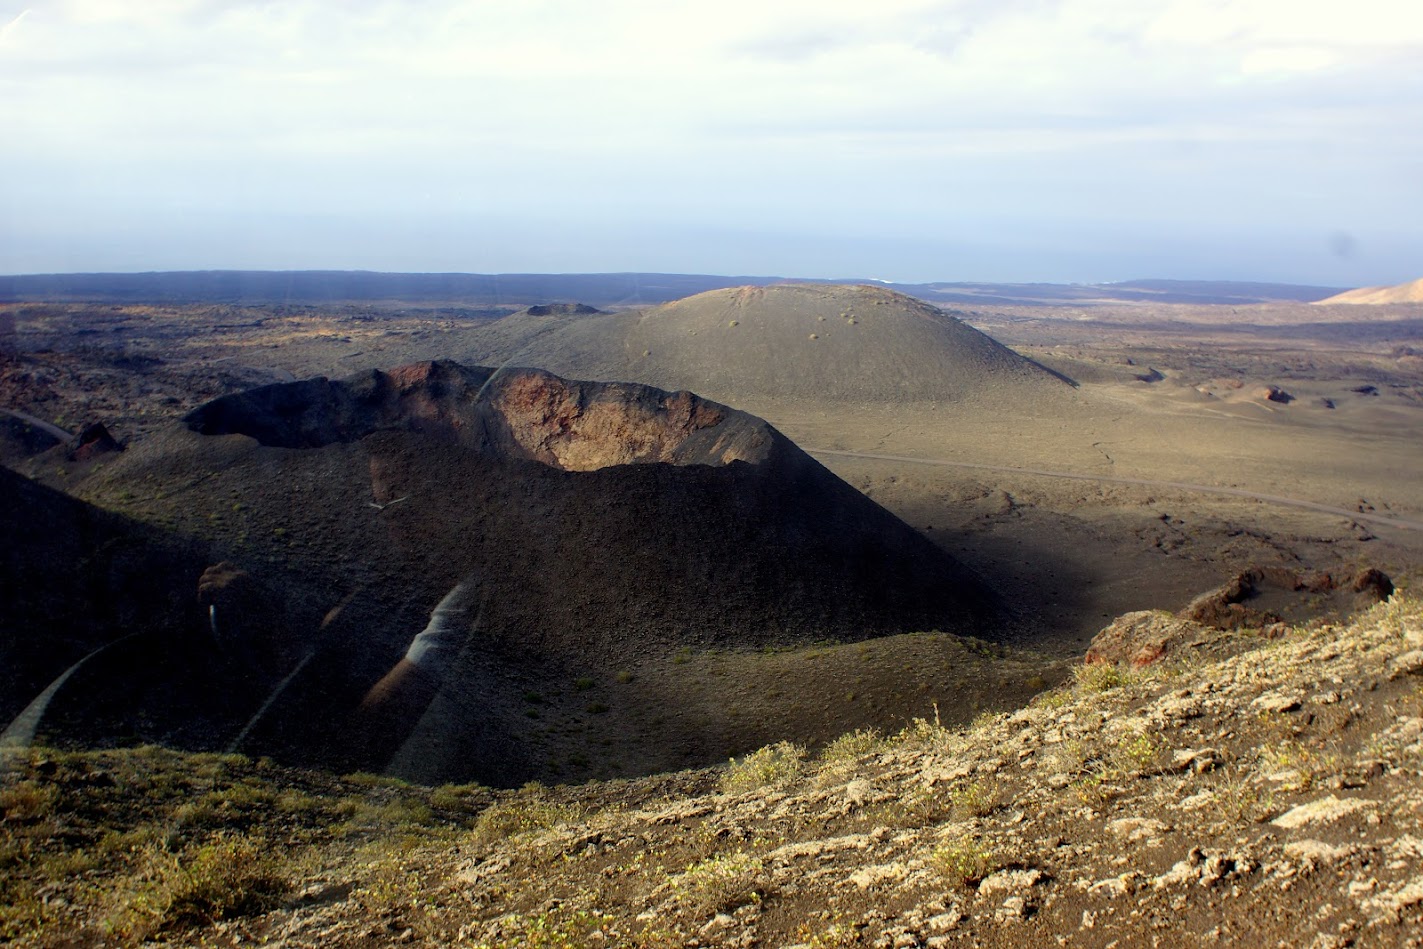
(446, 541)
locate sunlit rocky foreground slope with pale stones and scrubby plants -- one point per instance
(1263, 790)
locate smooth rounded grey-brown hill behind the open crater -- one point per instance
(815, 342)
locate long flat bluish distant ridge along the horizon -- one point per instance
(597, 290)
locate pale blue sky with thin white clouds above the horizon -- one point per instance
(903, 140)
